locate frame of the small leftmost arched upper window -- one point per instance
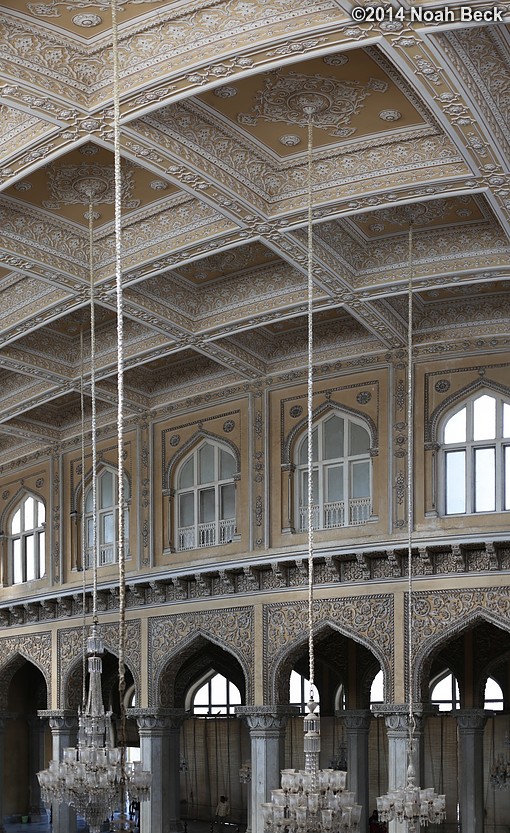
(37, 532)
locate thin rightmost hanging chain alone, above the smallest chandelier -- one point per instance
(410, 491)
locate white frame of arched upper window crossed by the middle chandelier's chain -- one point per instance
(344, 514)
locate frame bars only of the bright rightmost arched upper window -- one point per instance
(470, 447)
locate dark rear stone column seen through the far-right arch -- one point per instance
(471, 724)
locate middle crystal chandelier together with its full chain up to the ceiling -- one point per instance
(311, 800)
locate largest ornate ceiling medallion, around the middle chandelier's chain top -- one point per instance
(285, 98)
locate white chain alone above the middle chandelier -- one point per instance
(310, 409)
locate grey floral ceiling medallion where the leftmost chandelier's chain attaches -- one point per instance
(81, 184)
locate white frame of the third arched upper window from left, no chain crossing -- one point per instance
(219, 531)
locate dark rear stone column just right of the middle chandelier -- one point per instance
(357, 725)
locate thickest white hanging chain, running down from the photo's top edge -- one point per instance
(120, 395)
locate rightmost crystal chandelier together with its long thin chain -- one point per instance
(410, 804)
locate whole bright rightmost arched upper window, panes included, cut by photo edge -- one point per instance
(476, 456)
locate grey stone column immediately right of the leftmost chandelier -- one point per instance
(159, 732)
